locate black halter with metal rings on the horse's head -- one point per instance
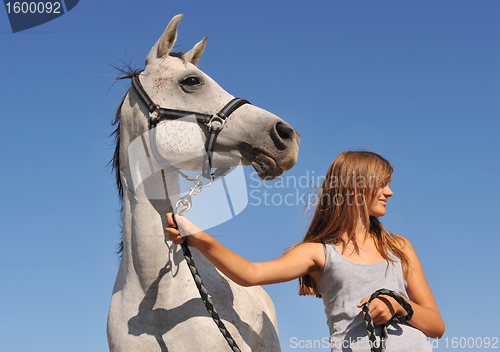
(214, 122)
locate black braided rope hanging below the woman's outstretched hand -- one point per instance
(205, 297)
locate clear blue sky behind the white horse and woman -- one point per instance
(416, 82)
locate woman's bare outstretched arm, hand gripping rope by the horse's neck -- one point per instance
(302, 259)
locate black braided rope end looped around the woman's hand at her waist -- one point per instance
(370, 326)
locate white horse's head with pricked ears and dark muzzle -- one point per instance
(251, 134)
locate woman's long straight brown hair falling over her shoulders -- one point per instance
(351, 182)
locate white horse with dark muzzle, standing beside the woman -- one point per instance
(155, 304)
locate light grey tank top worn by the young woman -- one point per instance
(344, 284)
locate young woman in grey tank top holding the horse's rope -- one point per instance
(345, 256)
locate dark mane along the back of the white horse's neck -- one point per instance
(126, 72)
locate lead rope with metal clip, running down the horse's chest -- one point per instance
(194, 270)
